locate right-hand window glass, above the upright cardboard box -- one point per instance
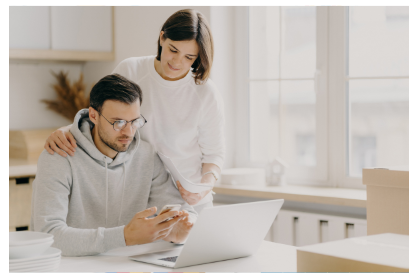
(377, 87)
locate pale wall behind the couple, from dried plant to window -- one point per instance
(136, 34)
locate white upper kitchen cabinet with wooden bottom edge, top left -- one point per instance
(62, 33)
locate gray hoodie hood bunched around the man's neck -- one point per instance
(81, 131)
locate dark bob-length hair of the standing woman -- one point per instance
(186, 25)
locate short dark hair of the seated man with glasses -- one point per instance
(114, 87)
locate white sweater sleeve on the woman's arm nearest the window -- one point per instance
(211, 137)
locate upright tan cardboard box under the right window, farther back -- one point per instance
(387, 200)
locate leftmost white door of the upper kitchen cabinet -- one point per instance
(29, 27)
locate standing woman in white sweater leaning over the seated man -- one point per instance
(181, 104)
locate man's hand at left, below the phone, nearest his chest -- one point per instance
(141, 230)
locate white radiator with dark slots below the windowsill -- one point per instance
(302, 228)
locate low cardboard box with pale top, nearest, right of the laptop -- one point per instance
(376, 253)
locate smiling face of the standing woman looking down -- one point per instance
(176, 58)
